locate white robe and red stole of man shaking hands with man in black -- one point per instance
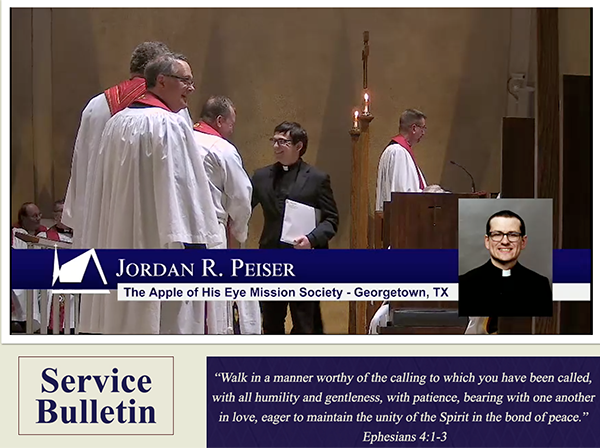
(232, 196)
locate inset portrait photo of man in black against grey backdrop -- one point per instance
(505, 257)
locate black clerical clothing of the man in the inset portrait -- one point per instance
(484, 292)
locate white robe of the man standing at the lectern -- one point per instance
(397, 172)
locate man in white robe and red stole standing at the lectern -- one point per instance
(398, 170)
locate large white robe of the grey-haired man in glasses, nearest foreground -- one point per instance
(150, 192)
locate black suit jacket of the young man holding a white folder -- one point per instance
(312, 187)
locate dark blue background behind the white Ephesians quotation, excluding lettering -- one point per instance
(585, 433)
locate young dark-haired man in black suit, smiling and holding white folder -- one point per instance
(292, 178)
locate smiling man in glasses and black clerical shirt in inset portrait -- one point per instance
(502, 286)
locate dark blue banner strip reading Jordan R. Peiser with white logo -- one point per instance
(104, 269)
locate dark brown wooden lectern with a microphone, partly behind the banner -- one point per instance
(422, 221)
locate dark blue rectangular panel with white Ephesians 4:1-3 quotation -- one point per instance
(494, 402)
